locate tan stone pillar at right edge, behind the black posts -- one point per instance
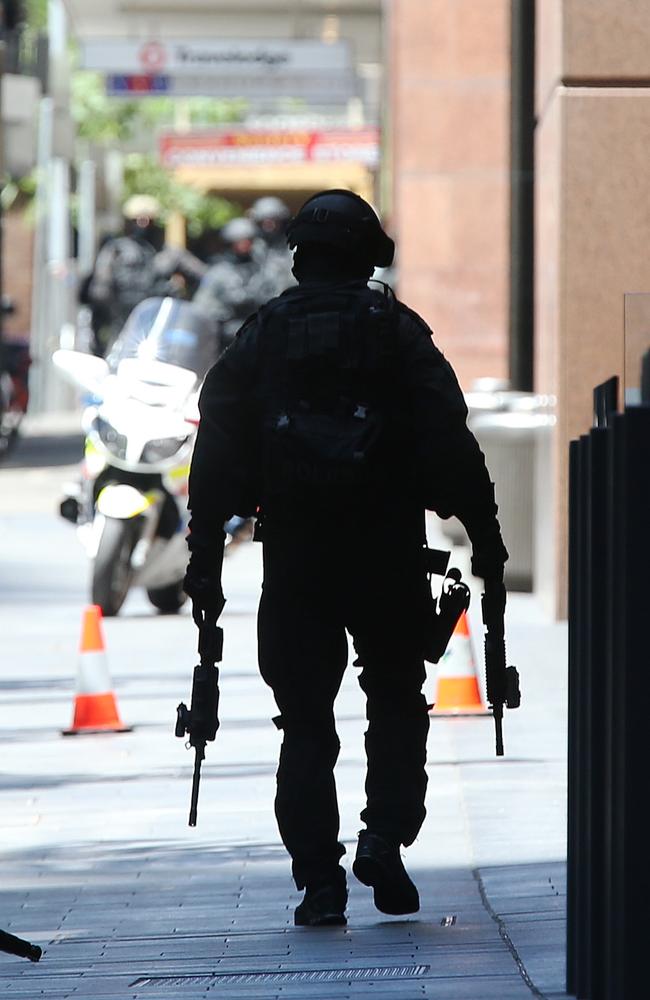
(593, 223)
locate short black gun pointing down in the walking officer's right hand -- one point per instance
(502, 682)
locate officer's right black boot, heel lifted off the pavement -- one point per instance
(378, 864)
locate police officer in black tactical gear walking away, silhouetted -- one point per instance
(334, 413)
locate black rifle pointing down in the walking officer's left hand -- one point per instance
(201, 721)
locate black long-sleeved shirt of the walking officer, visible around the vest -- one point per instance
(452, 477)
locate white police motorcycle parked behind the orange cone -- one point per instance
(140, 420)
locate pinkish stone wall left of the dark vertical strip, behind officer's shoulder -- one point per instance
(449, 71)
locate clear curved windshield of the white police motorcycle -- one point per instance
(168, 330)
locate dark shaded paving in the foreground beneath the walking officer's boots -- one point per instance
(135, 919)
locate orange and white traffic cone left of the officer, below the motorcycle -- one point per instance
(95, 708)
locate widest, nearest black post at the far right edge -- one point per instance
(628, 845)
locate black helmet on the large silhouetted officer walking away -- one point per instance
(342, 219)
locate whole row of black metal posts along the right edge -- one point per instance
(608, 880)
